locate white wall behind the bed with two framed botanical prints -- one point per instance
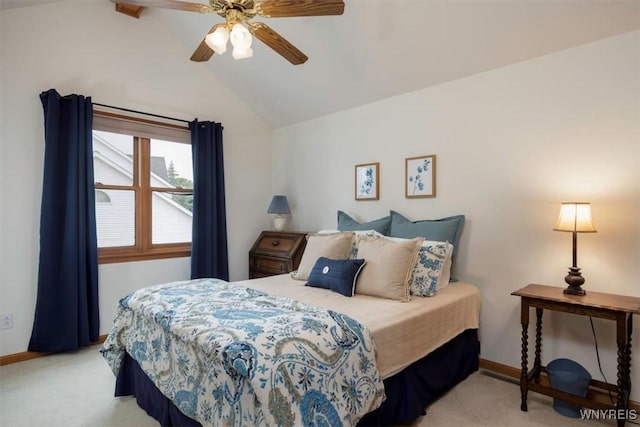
(511, 144)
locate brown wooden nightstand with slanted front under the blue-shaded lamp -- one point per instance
(276, 252)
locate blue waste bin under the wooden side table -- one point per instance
(570, 377)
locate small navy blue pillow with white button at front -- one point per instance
(339, 275)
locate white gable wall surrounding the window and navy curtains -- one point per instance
(85, 47)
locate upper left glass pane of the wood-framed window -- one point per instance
(112, 158)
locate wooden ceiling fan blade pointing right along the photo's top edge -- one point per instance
(286, 8)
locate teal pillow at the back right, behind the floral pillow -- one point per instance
(442, 230)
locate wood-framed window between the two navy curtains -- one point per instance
(144, 188)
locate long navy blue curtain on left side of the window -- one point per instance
(66, 316)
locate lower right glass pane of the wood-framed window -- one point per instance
(171, 218)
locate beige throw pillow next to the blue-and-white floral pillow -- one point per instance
(389, 266)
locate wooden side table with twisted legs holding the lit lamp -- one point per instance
(595, 304)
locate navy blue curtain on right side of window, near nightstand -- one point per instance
(209, 257)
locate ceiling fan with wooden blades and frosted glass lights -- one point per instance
(237, 28)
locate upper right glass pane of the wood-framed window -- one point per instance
(171, 164)
